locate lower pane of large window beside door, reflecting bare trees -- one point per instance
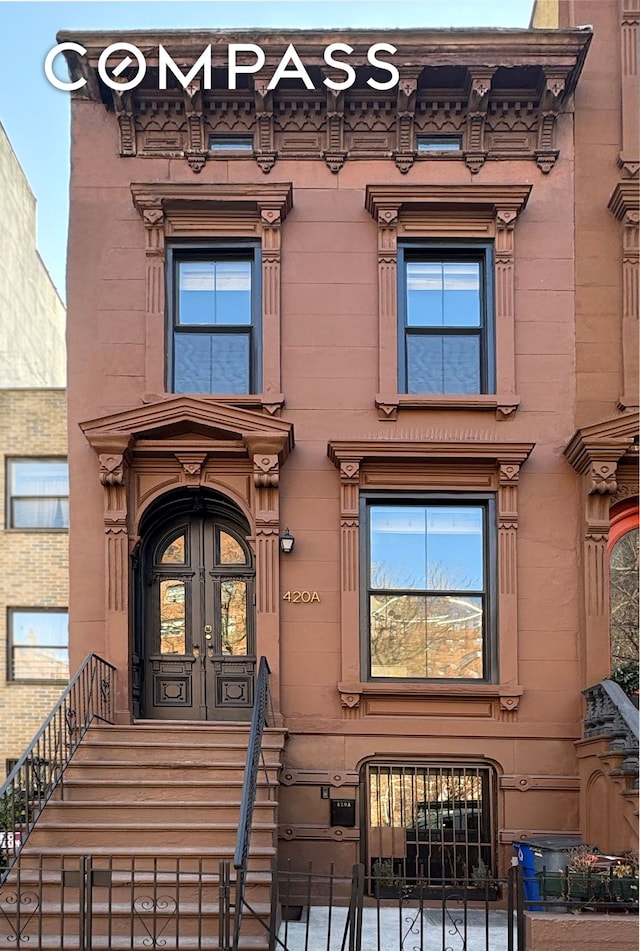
(426, 636)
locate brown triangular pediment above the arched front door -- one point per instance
(187, 423)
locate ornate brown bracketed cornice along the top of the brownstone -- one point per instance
(501, 91)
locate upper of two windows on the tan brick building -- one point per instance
(38, 494)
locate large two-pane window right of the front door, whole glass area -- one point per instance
(427, 598)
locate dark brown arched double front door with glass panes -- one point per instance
(199, 619)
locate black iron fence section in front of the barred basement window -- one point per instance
(356, 913)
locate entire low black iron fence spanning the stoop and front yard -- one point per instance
(89, 903)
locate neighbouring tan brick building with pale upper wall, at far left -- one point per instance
(33, 474)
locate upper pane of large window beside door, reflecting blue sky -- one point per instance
(427, 547)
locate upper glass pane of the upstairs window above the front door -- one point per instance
(214, 292)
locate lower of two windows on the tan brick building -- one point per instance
(38, 644)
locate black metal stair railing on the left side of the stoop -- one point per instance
(30, 784)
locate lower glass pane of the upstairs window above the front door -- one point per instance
(211, 363)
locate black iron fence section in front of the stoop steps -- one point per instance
(81, 903)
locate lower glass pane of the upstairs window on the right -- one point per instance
(443, 364)
